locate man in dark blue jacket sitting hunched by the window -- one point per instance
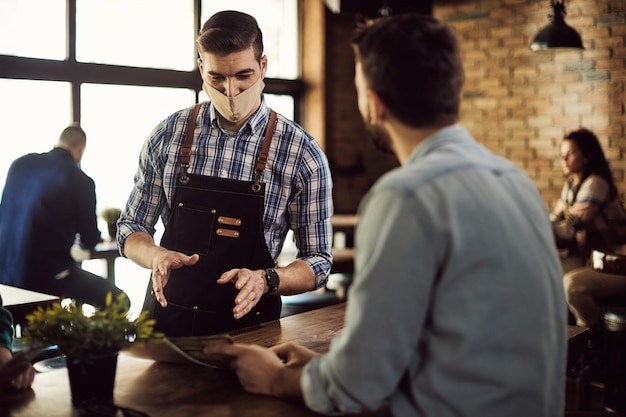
(47, 201)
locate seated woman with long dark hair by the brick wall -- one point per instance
(587, 217)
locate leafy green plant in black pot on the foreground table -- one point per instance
(90, 343)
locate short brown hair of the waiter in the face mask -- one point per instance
(230, 31)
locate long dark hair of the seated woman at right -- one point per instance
(591, 149)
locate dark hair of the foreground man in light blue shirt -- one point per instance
(413, 63)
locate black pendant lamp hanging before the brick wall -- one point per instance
(557, 34)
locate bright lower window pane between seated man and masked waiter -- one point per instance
(117, 120)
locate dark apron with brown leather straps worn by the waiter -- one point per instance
(222, 221)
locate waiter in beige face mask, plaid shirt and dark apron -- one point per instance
(228, 177)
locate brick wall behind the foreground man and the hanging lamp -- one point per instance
(516, 102)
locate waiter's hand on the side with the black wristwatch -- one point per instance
(251, 286)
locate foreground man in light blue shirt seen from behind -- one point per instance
(457, 305)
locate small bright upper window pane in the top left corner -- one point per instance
(22, 21)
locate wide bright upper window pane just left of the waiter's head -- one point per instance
(141, 33)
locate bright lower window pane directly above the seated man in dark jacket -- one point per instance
(32, 115)
